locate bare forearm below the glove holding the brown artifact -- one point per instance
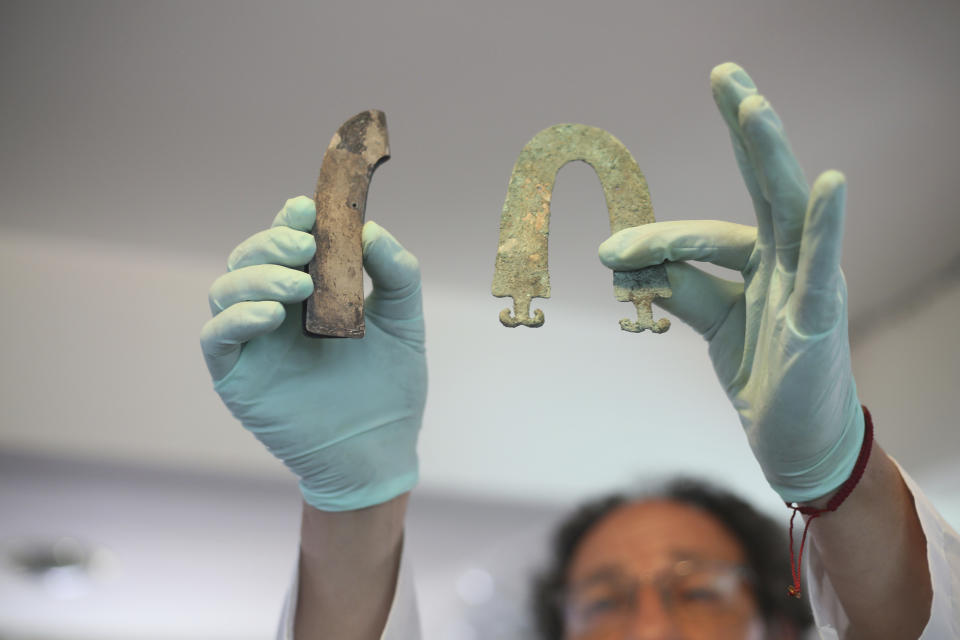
(348, 571)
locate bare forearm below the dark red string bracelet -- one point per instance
(874, 552)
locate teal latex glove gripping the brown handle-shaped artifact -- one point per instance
(342, 414)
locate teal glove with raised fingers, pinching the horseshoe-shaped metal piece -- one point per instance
(778, 340)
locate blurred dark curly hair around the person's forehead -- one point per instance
(763, 540)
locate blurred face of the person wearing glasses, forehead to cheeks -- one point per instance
(659, 570)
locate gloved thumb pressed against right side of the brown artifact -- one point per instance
(395, 273)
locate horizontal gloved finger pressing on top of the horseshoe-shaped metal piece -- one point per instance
(722, 243)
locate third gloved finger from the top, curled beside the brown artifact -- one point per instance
(261, 282)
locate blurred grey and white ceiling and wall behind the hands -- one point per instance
(140, 142)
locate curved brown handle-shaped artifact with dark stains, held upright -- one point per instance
(360, 145)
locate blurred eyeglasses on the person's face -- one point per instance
(695, 594)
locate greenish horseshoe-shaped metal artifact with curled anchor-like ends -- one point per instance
(521, 268)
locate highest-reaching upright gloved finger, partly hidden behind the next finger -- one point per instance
(730, 84)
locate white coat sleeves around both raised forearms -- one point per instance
(943, 555)
